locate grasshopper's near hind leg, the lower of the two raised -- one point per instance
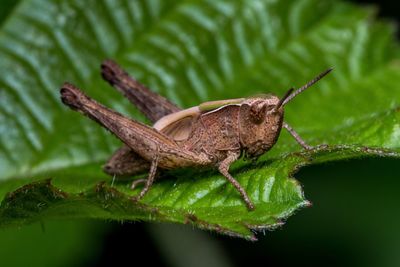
(147, 142)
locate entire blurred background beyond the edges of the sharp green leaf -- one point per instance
(354, 221)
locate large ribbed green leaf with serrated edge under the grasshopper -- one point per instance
(190, 52)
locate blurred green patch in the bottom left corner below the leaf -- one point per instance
(70, 243)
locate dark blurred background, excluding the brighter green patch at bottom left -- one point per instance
(355, 220)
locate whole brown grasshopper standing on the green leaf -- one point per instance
(214, 133)
